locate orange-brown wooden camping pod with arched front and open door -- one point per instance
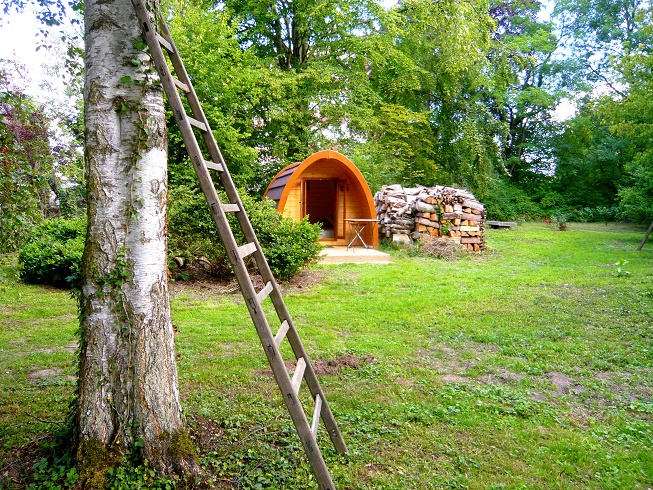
(328, 188)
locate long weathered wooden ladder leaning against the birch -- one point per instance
(158, 38)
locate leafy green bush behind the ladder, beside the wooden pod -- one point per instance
(194, 241)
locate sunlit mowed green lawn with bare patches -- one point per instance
(529, 366)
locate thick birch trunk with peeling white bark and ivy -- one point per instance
(128, 395)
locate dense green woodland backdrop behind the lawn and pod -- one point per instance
(418, 92)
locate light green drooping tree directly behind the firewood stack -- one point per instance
(449, 43)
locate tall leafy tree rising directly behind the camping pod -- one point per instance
(309, 44)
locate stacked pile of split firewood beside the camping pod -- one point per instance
(434, 211)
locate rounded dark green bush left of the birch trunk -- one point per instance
(53, 254)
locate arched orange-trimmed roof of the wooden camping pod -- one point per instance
(285, 180)
